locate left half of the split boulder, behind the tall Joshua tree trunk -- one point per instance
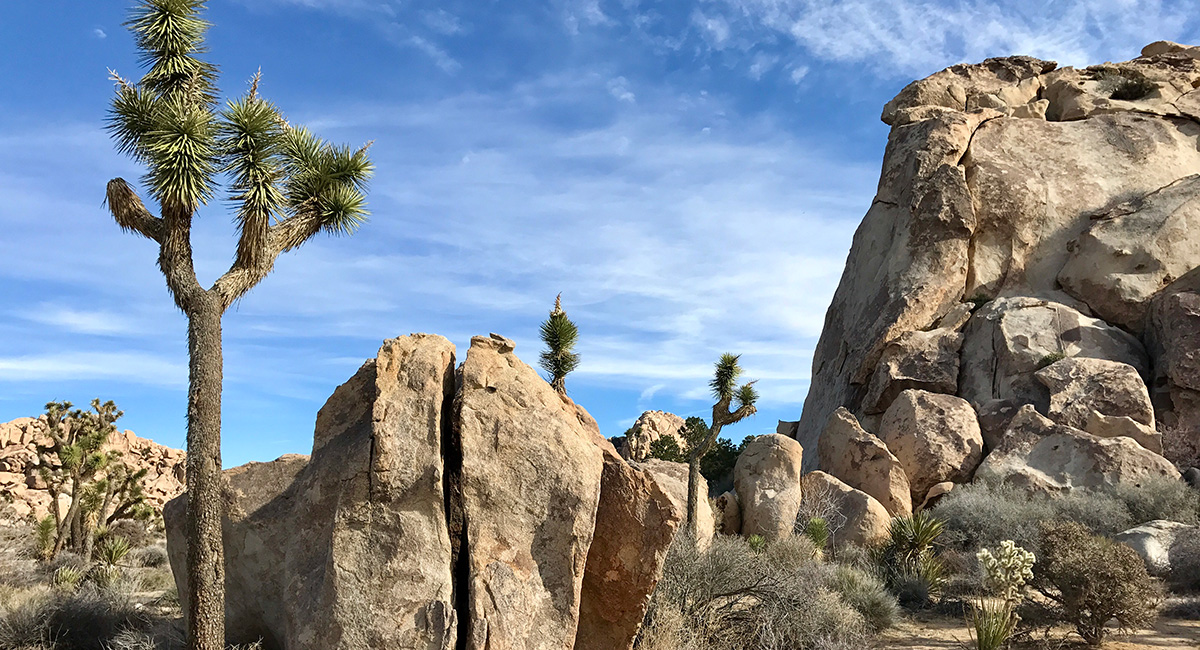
(315, 551)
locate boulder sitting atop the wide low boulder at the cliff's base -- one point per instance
(1081, 388)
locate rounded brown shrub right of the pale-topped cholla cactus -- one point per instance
(1095, 581)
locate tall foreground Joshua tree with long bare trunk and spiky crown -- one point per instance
(286, 188)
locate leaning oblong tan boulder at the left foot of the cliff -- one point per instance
(863, 462)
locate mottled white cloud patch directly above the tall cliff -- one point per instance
(919, 37)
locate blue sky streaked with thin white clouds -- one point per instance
(688, 176)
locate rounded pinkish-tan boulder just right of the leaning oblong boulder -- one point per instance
(935, 437)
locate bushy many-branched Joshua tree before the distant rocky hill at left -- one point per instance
(101, 489)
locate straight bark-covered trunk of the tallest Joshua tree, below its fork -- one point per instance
(206, 553)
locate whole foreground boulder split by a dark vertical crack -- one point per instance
(479, 509)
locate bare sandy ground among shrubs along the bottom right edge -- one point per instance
(939, 633)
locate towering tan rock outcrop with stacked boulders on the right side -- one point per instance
(1027, 216)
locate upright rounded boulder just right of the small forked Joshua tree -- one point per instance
(767, 479)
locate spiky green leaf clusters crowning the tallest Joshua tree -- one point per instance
(169, 122)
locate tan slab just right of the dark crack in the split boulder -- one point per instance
(531, 485)
